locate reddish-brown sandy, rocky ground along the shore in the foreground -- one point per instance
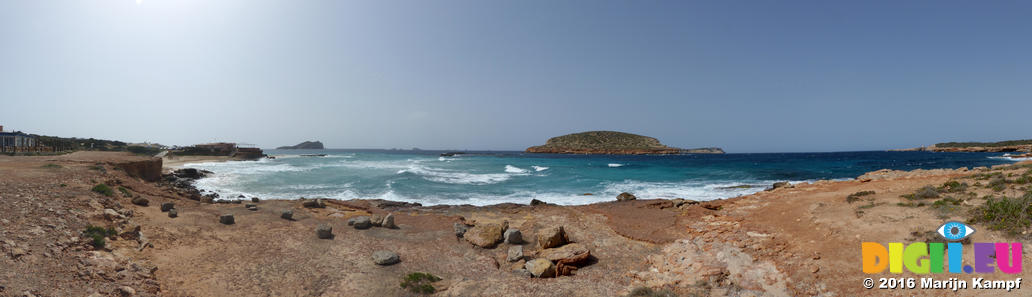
(795, 242)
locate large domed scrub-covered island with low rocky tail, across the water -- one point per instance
(612, 143)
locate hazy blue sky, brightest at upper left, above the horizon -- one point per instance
(745, 76)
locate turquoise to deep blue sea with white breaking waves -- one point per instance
(490, 178)
